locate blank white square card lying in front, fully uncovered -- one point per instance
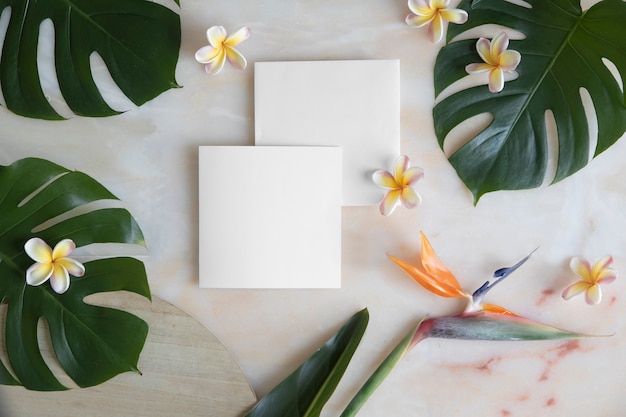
(270, 217)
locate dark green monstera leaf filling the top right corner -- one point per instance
(562, 53)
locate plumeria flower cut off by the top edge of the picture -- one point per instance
(433, 13)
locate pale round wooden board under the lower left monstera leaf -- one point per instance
(186, 371)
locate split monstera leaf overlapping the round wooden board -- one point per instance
(92, 344)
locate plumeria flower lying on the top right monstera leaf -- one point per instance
(497, 59)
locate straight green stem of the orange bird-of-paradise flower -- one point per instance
(383, 370)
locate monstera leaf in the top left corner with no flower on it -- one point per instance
(138, 40)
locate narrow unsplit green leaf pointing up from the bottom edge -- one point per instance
(305, 392)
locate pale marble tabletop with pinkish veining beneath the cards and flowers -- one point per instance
(148, 157)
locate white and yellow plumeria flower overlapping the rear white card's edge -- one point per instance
(399, 185)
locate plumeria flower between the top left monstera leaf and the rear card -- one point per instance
(222, 47)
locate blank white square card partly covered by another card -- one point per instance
(352, 104)
